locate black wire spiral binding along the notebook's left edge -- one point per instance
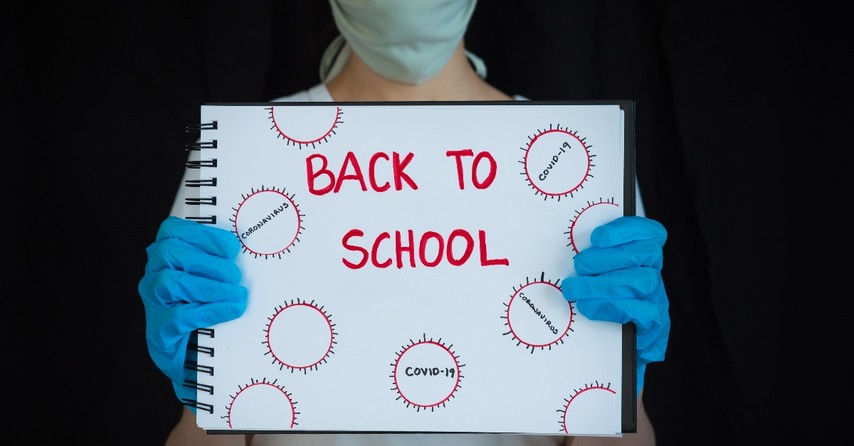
(194, 347)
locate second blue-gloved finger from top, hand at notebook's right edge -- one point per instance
(601, 260)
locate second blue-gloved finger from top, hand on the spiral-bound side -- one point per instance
(177, 255)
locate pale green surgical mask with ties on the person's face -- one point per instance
(408, 41)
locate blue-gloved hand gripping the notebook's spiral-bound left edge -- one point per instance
(191, 281)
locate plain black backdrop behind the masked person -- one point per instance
(741, 119)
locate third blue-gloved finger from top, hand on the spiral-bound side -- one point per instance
(169, 288)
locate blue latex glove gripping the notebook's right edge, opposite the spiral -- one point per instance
(619, 280)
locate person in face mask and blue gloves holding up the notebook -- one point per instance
(391, 50)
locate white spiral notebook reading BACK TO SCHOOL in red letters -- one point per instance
(404, 264)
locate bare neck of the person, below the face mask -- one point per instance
(456, 82)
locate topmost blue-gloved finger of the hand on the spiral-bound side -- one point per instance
(210, 239)
